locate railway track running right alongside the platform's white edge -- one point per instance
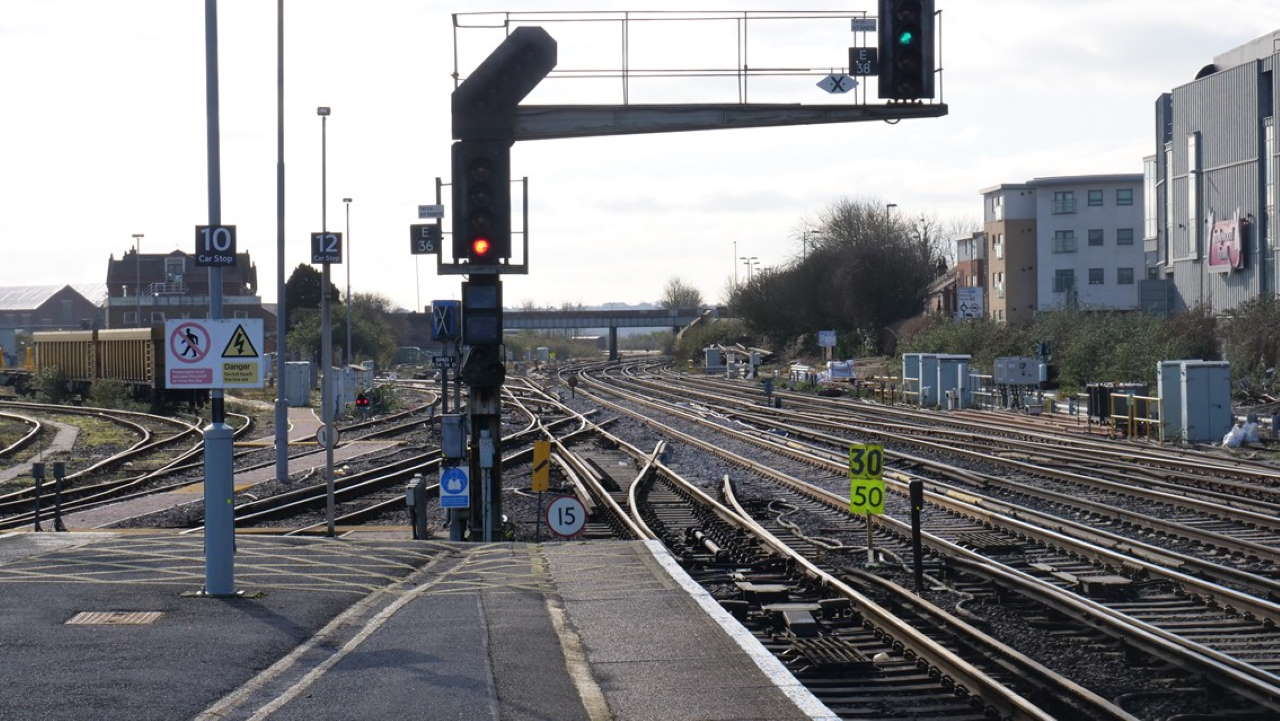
(856, 655)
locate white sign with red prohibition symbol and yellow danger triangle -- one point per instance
(190, 364)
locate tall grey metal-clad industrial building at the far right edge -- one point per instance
(1210, 218)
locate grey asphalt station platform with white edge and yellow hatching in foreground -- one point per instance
(106, 626)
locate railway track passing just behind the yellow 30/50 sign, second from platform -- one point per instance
(1177, 624)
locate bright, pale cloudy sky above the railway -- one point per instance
(103, 131)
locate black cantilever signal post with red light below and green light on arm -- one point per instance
(487, 122)
